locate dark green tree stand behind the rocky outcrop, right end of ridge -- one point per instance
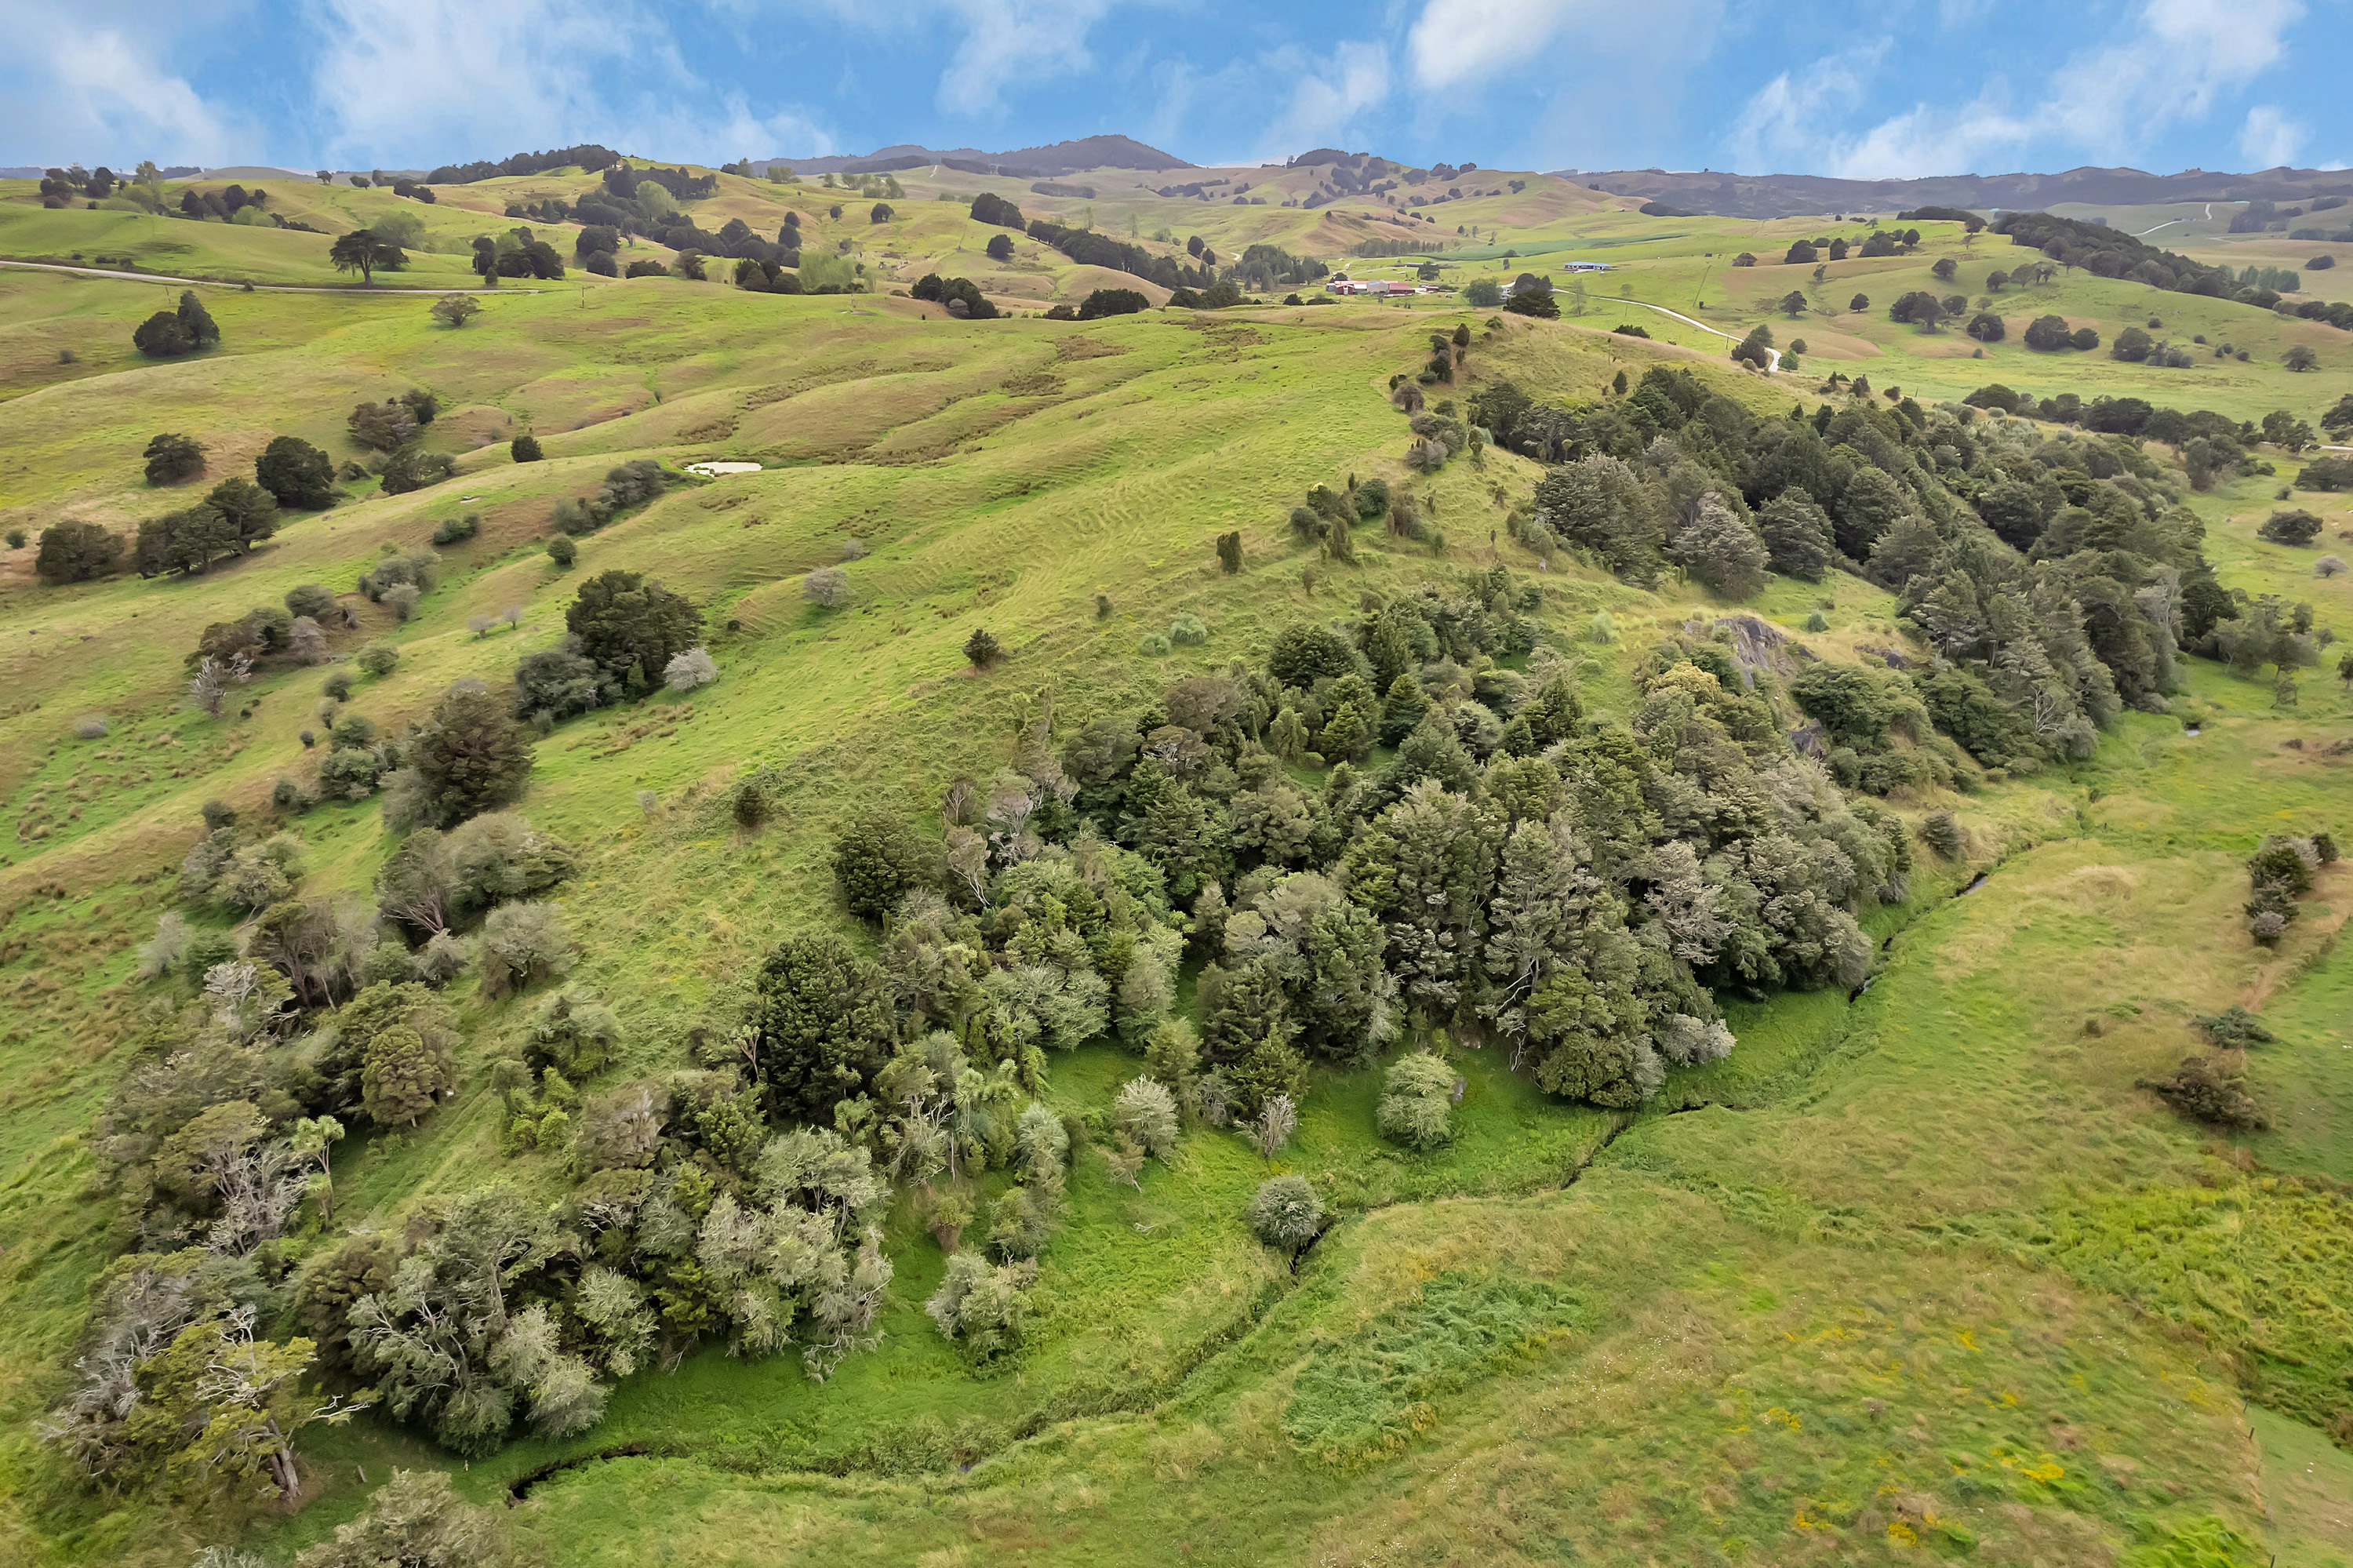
(2055, 576)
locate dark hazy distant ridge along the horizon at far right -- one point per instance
(1764, 197)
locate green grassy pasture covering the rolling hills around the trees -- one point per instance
(1912, 1270)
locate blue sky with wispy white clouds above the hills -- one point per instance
(1886, 88)
